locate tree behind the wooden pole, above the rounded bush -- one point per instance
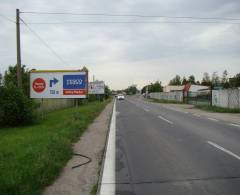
(10, 77)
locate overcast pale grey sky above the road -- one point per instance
(123, 54)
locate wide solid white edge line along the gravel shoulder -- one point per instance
(107, 185)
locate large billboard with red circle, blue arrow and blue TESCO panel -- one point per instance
(58, 84)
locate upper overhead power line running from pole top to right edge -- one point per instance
(132, 15)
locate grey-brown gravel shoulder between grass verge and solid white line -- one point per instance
(81, 180)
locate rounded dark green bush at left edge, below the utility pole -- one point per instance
(15, 108)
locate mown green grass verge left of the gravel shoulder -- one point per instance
(32, 157)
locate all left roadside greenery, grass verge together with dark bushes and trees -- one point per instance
(33, 150)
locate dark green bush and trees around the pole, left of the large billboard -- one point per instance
(16, 108)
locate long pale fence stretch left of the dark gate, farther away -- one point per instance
(175, 96)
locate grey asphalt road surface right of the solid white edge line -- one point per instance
(165, 151)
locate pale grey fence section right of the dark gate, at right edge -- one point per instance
(229, 98)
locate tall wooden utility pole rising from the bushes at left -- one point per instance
(19, 68)
